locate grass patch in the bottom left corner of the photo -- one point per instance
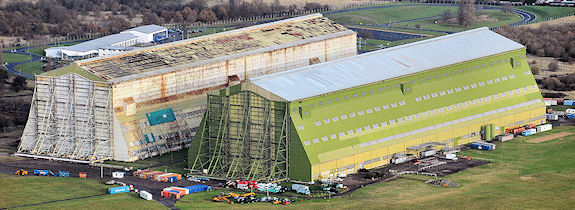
(28, 190)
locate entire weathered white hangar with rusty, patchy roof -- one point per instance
(150, 101)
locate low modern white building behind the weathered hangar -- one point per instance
(109, 45)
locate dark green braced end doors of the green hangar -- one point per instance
(244, 136)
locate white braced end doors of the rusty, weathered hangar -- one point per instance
(70, 118)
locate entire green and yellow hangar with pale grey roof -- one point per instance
(360, 112)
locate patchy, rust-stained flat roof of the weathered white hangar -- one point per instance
(196, 51)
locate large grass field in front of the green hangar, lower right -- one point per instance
(522, 176)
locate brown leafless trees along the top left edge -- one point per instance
(64, 17)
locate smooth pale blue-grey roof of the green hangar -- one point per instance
(385, 64)
